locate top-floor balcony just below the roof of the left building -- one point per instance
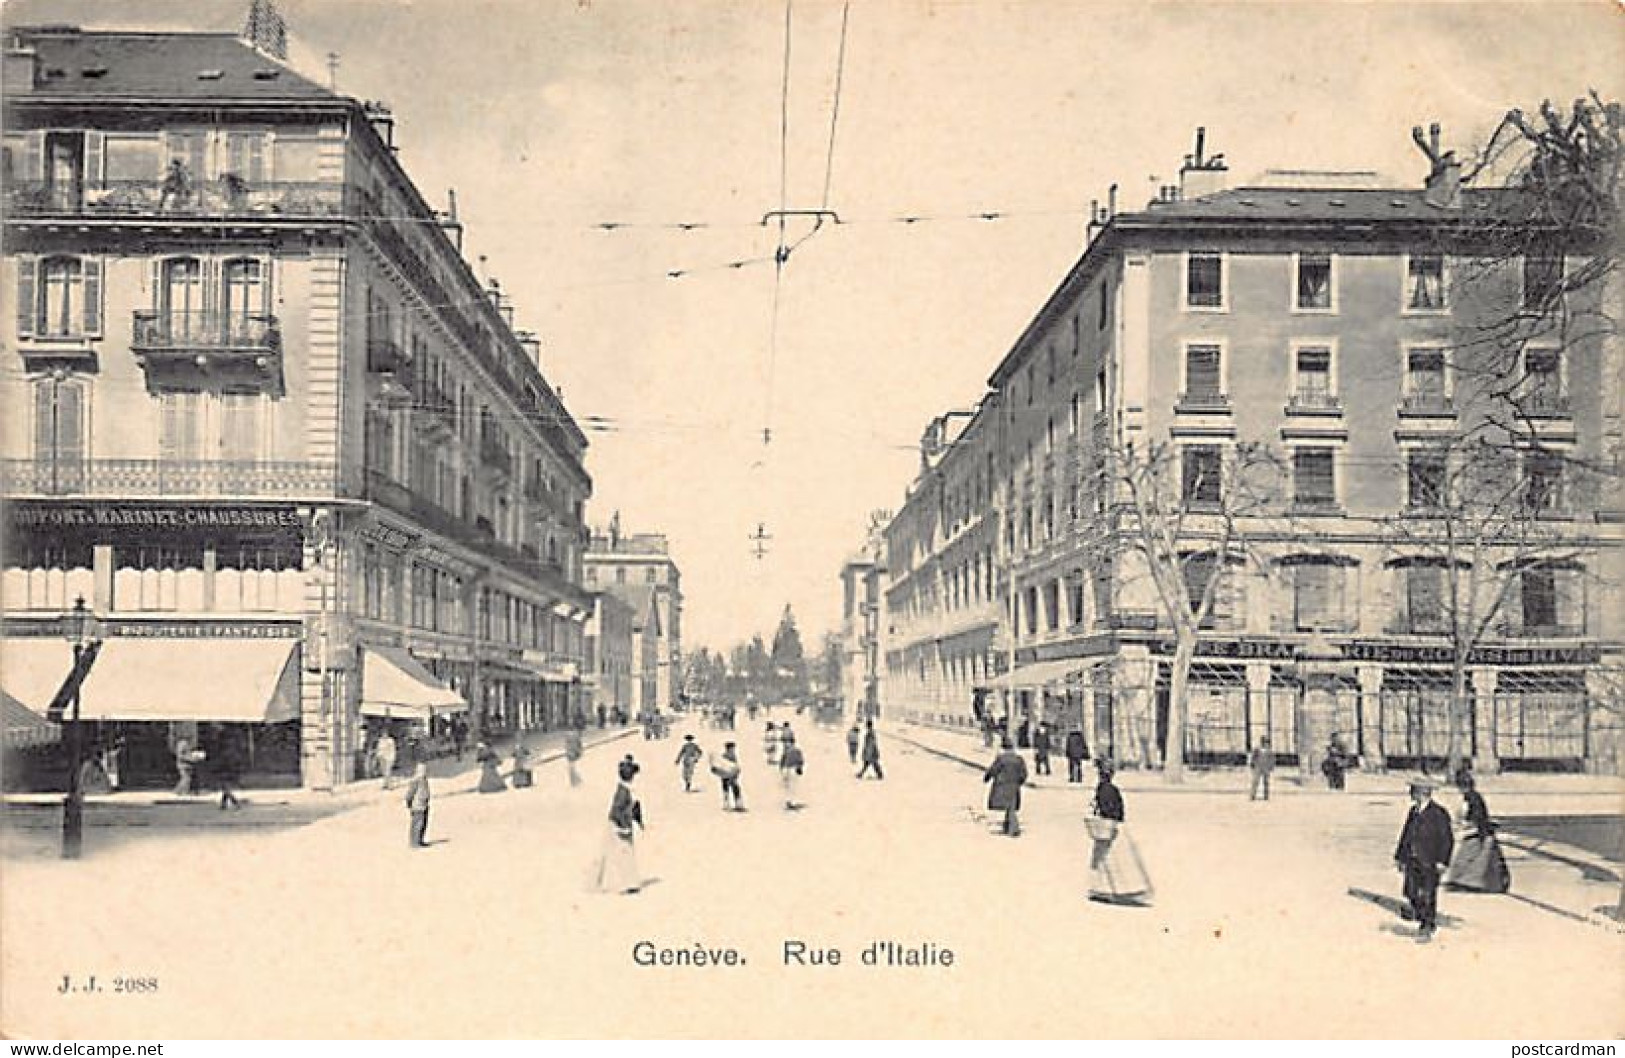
(155, 197)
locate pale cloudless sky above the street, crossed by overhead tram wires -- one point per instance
(553, 119)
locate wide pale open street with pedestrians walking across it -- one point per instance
(337, 929)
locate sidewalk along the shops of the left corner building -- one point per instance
(282, 809)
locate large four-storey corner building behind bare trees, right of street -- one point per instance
(1359, 339)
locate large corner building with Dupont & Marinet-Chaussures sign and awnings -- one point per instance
(266, 420)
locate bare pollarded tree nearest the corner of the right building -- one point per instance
(1187, 526)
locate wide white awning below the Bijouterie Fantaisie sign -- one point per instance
(222, 680)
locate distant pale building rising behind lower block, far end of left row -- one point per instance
(618, 565)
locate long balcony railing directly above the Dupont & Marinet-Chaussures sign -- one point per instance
(167, 479)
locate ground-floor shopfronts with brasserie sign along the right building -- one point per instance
(1551, 708)
